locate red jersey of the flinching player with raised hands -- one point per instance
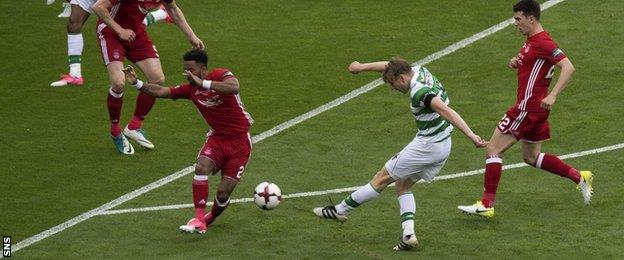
(224, 113)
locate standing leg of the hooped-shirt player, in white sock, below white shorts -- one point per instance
(407, 207)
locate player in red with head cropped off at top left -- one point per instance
(122, 34)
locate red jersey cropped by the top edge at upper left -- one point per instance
(129, 14)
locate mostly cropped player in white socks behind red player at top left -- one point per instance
(78, 12)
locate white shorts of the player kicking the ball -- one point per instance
(419, 159)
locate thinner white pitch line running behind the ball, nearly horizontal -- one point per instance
(349, 189)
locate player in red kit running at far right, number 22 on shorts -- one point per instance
(527, 120)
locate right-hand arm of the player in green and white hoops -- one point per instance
(453, 117)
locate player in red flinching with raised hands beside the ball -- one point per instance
(228, 145)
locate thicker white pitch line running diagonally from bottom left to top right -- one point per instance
(281, 127)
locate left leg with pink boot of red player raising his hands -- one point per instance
(203, 168)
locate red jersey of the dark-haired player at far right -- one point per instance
(536, 66)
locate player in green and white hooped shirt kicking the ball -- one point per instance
(423, 157)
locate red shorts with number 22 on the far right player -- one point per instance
(526, 126)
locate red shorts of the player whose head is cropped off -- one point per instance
(115, 49)
